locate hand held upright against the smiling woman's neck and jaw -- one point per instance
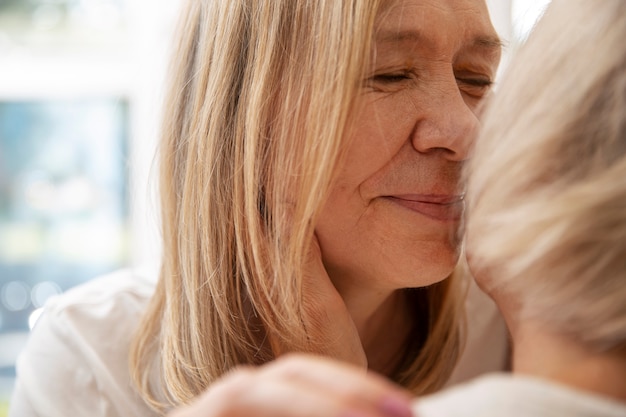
(330, 328)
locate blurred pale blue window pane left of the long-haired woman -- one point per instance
(63, 197)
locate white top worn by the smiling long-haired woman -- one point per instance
(76, 360)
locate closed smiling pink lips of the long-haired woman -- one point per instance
(438, 207)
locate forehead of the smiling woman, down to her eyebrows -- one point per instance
(437, 25)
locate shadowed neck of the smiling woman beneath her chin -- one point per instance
(383, 322)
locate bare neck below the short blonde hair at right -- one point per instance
(541, 353)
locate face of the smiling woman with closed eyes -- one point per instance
(392, 216)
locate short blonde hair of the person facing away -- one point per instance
(547, 182)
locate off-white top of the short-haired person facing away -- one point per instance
(499, 395)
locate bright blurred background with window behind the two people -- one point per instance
(80, 93)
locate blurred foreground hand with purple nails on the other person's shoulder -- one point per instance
(300, 386)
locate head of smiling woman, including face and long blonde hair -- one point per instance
(287, 121)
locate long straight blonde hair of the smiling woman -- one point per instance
(258, 105)
